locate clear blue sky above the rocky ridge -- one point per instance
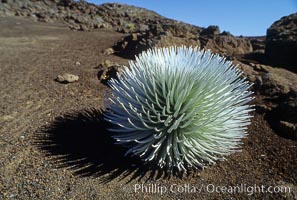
(240, 17)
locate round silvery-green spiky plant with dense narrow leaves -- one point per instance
(180, 107)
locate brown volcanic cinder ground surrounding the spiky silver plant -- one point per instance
(53, 144)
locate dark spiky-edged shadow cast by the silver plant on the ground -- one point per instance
(82, 143)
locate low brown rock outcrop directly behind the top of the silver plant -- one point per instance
(178, 34)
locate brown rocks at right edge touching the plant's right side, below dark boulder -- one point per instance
(276, 96)
